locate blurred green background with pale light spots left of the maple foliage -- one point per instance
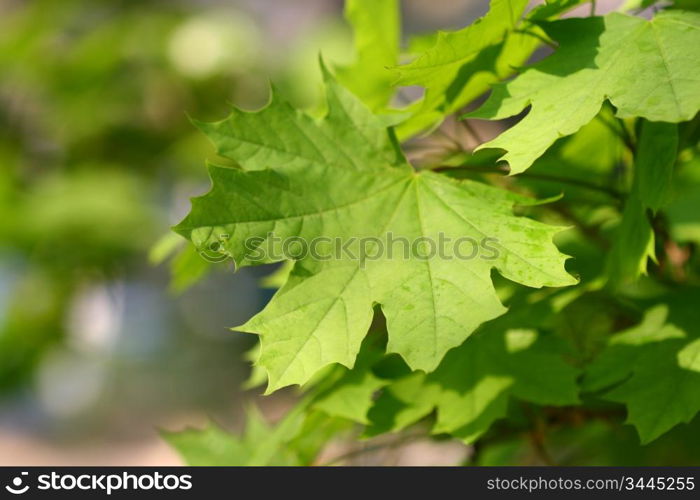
(103, 337)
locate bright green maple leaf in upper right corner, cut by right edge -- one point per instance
(644, 68)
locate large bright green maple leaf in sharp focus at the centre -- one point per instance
(344, 179)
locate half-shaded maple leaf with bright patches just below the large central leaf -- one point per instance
(472, 386)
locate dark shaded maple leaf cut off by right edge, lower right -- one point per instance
(653, 368)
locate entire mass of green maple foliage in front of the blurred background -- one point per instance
(458, 348)
